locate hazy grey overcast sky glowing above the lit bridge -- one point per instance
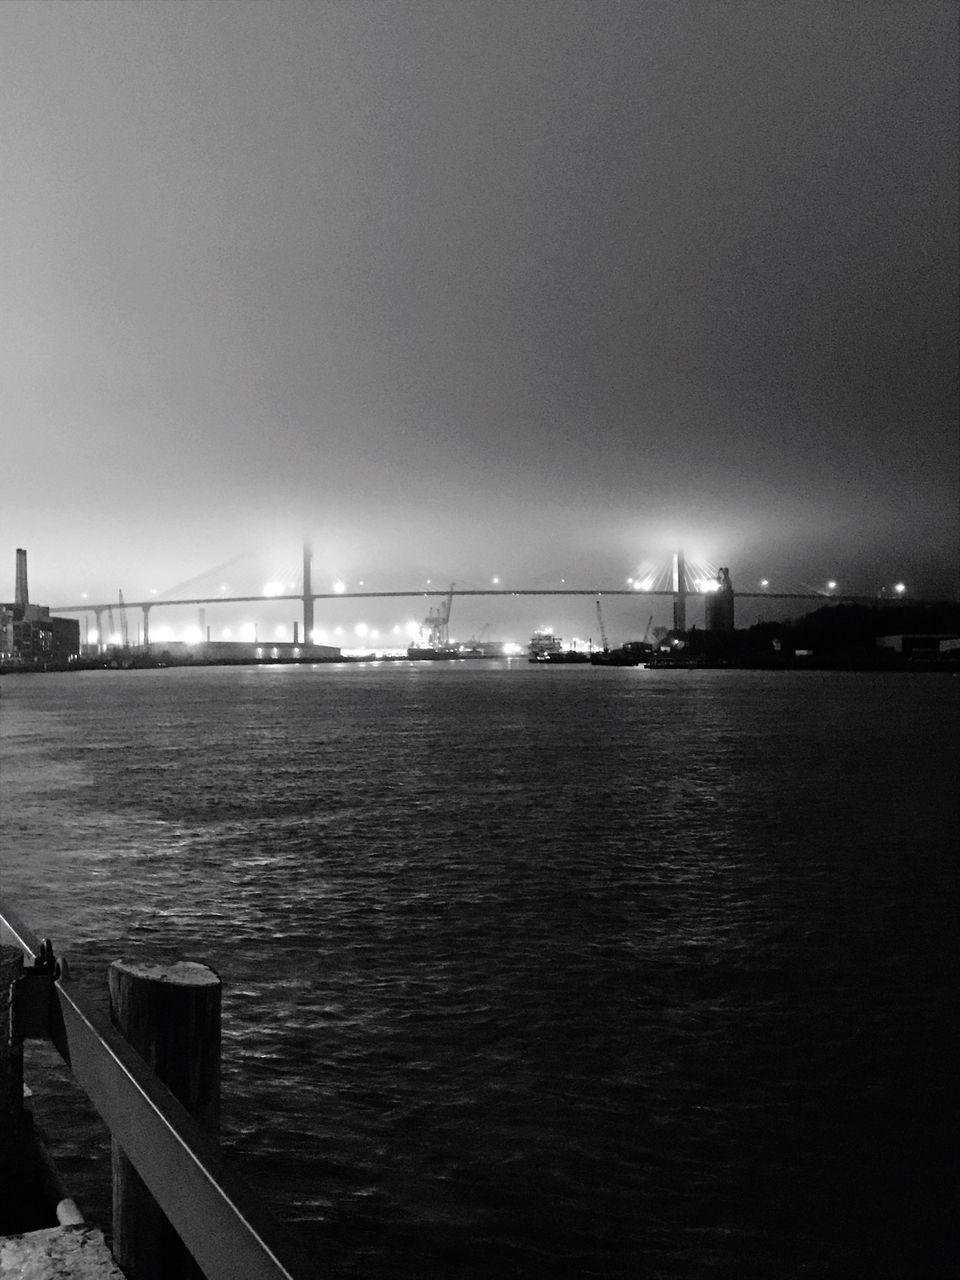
(479, 289)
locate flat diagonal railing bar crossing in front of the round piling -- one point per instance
(221, 1220)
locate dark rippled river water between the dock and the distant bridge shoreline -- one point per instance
(532, 972)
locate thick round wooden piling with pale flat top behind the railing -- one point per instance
(171, 1014)
